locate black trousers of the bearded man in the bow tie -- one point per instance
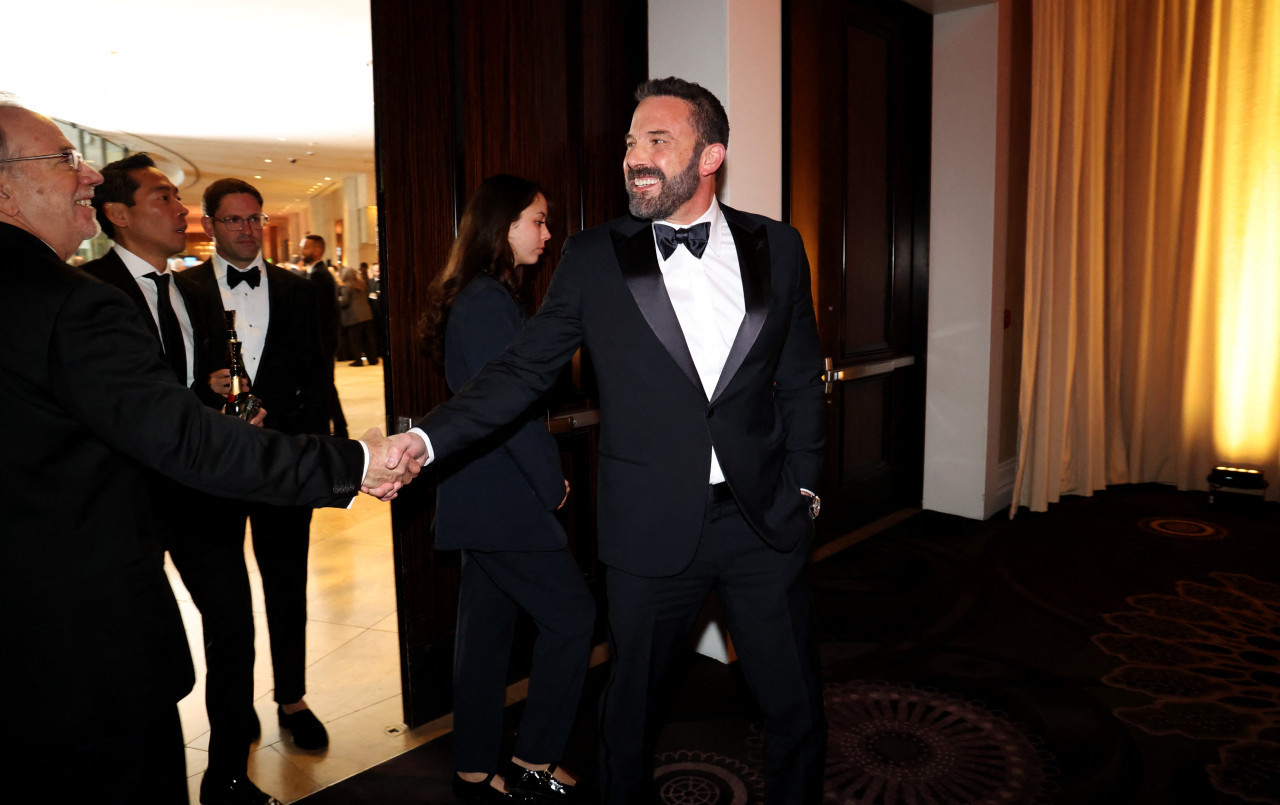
(769, 606)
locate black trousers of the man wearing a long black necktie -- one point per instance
(212, 564)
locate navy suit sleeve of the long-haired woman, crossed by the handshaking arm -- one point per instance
(481, 330)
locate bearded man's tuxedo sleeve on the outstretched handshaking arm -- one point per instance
(511, 383)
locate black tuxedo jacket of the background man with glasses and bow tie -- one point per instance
(291, 377)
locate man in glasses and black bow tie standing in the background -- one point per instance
(276, 322)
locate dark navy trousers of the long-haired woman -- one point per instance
(495, 588)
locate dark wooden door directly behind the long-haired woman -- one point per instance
(464, 92)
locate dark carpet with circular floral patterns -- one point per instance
(1119, 650)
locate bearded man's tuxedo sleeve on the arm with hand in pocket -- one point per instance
(798, 383)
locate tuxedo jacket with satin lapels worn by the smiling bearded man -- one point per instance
(657, 424)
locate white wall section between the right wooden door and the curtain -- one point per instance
(966, 285)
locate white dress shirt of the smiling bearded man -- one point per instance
(710, 303)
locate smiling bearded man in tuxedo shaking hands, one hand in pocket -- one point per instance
(701, 327)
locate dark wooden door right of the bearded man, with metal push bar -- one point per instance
(858, 177)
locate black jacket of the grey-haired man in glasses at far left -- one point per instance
(90, 625)
